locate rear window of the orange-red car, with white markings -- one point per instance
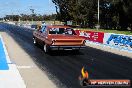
(68, 31)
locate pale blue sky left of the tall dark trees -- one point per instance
(16, 7)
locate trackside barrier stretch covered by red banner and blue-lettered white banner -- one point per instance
(118, 41)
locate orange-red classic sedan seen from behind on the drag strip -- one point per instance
(58, 38)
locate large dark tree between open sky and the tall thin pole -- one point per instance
(80, 11)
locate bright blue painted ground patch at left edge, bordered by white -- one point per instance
(3, 61)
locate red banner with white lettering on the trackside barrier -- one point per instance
(90, 35)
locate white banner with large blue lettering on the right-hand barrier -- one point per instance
(120, 41)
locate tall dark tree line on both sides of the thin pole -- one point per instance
(114, 14)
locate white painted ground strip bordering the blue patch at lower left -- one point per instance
(10, 78)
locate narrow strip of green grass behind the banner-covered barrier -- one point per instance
(108, 31)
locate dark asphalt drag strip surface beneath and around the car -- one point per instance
(64, 67)
